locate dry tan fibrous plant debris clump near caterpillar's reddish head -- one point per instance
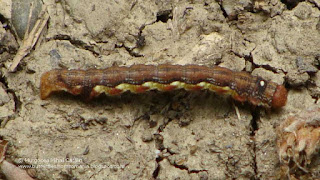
(298, 144)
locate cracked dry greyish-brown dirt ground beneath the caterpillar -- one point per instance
(185, 135)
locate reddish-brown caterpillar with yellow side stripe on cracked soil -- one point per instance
(115, 80)
